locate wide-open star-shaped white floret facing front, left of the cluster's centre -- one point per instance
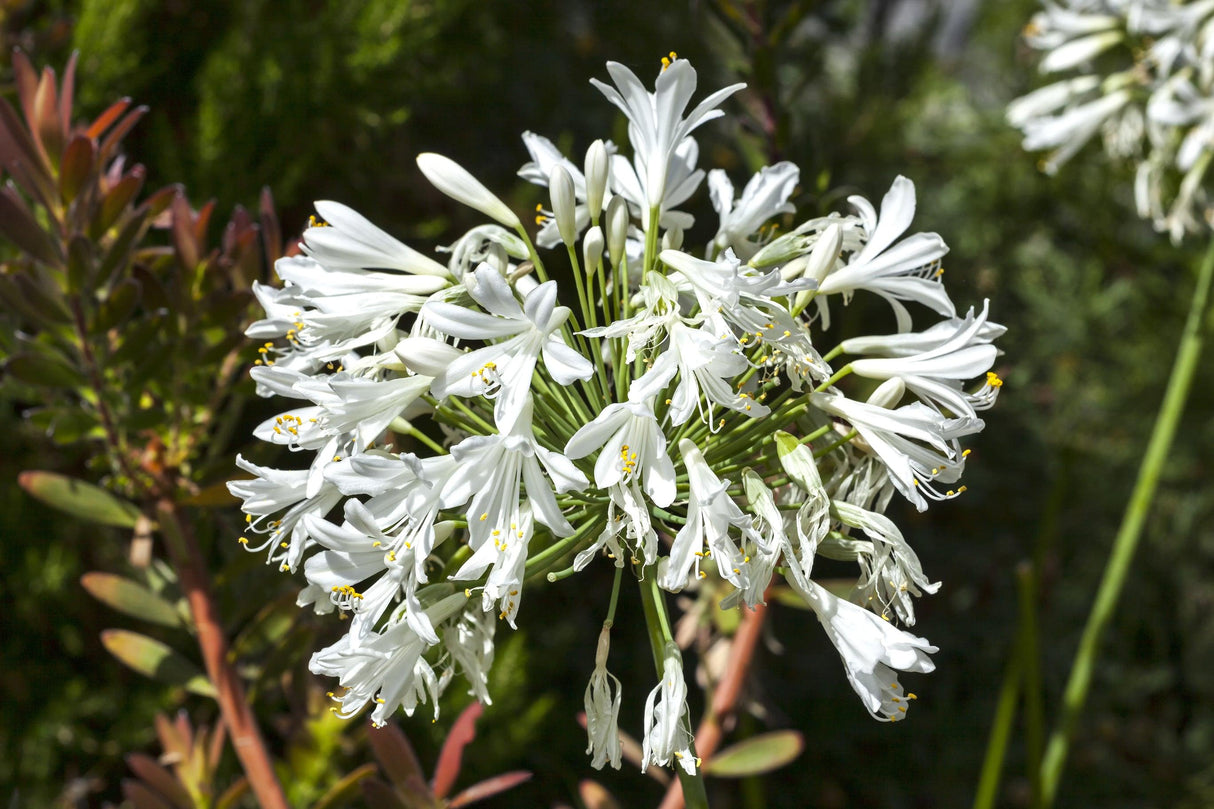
(504, 370)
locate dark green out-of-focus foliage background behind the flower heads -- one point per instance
(332, 99)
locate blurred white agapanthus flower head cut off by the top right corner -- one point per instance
(1142, 75)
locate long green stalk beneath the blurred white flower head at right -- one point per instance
(1126, 542)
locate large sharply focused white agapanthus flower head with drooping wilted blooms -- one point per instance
(670, 412)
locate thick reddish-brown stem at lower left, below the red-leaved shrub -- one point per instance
(242, 727)
